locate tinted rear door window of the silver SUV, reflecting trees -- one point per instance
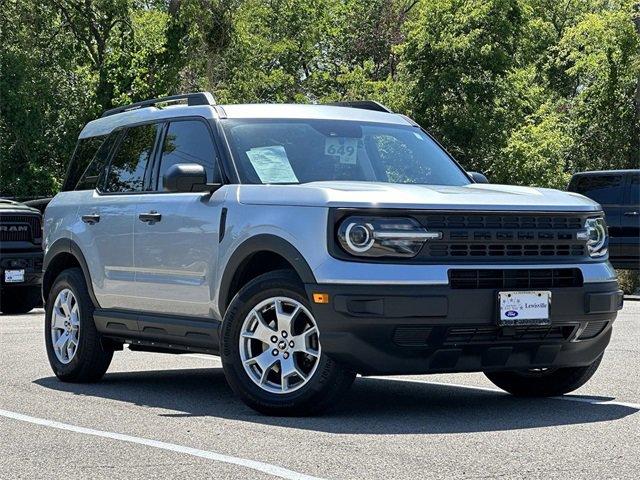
(127, 169)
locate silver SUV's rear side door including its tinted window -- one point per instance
(108, 216)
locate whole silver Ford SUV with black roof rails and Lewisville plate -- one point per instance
(307, 243)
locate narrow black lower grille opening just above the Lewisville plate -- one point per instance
(515, 278)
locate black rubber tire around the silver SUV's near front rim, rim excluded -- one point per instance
(256, 291)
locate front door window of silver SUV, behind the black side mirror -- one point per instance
(189, 142)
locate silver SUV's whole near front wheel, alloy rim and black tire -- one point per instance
(271, 351)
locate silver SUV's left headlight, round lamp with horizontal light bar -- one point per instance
(383, 236)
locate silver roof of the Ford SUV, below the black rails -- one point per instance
(105, 125)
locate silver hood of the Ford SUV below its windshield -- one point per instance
(475, 196)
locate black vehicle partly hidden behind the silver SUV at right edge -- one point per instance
(618, 191)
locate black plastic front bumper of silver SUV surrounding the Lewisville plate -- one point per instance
(414, 329)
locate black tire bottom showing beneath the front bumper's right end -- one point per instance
(545, 383)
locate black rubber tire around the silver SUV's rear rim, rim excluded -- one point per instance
(69, 279)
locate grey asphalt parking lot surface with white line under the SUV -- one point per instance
(173, 416)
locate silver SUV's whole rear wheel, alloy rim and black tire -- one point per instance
(75, 350)
